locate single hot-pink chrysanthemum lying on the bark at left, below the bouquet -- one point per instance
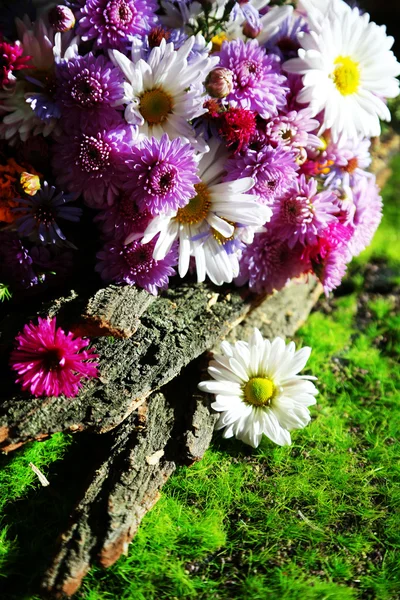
(50, 362)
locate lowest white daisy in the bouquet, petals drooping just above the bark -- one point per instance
(209, 226)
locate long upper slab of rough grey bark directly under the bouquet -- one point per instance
(174, 330)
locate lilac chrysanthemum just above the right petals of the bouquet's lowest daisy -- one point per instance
(273, 169)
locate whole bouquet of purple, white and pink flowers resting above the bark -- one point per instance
(149, 139)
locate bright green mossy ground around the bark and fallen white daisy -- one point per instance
(317, 520)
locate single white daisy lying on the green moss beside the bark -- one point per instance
(258, 390)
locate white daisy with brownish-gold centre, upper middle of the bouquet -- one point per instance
(165, 92)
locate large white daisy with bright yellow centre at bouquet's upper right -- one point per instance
(348, 70)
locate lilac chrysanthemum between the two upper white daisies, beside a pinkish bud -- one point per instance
(258, 82)
